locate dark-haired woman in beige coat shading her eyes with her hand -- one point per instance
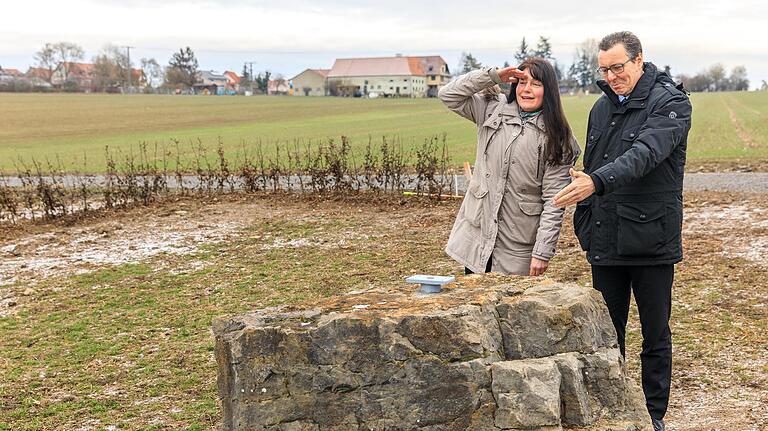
(508, 222)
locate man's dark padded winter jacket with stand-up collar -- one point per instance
(635, 154)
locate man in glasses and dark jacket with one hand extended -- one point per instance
(630, 209)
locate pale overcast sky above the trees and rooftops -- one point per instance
(287, 37)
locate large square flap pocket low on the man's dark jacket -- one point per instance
(641, 229)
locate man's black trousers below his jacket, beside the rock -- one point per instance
(652, 287)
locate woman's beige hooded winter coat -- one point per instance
(508, 209)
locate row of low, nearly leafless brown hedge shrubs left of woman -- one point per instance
(140, 175)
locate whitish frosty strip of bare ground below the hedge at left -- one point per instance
(80, 249)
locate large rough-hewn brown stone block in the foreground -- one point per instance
(521, 356)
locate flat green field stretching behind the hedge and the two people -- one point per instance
(726, 125)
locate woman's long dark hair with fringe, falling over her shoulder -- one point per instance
(558, 150)
